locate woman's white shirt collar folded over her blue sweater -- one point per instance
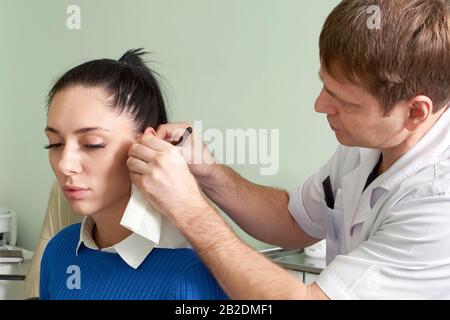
(133, 249)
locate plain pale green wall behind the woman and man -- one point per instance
(230, 63)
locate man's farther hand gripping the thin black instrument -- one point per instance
(196, 154)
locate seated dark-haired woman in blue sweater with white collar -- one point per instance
(96, 112)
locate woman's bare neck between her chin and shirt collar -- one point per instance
(108, 231)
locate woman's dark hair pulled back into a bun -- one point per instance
(130, 84)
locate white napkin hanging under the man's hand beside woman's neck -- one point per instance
(141, 218)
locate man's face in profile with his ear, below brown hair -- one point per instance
(356, 117)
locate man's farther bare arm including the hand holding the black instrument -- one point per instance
(260, 211)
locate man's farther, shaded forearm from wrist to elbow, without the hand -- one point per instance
(260, 211)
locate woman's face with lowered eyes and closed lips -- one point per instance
(89, 150)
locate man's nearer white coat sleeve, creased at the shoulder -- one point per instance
(407, 258)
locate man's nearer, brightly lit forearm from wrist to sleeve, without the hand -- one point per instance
(242, 272)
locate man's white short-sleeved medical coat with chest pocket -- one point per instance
(391, 241)
